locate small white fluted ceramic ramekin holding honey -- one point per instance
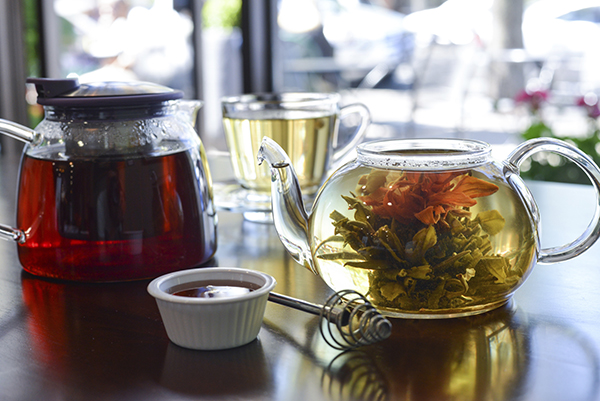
(212, 323)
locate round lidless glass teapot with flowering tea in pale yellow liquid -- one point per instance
(425, 228)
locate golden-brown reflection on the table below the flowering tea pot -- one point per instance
(474, 358)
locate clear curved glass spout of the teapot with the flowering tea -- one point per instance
(289, 214)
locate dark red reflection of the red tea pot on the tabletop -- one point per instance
(63, 322)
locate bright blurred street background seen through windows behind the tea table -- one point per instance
(497, 70)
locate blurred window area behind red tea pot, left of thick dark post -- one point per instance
(191, 45)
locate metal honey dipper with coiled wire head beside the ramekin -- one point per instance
(350, 319)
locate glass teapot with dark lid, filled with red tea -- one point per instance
(114, 183)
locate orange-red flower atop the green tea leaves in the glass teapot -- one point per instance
(426, 197)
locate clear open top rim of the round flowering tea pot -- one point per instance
(424, 154)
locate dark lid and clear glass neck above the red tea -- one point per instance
(104, 118)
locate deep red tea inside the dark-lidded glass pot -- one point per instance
(114, 219)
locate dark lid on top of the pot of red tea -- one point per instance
(70, 93)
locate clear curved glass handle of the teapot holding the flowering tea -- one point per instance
(528, 148)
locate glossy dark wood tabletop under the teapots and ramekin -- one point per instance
(77, 341)
